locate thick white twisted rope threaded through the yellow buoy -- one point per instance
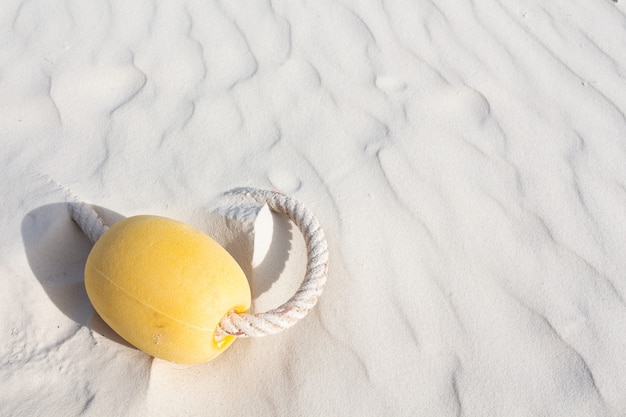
(280, 318)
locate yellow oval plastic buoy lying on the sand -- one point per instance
(164, 286)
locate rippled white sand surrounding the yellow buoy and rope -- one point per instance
(467, 160)
